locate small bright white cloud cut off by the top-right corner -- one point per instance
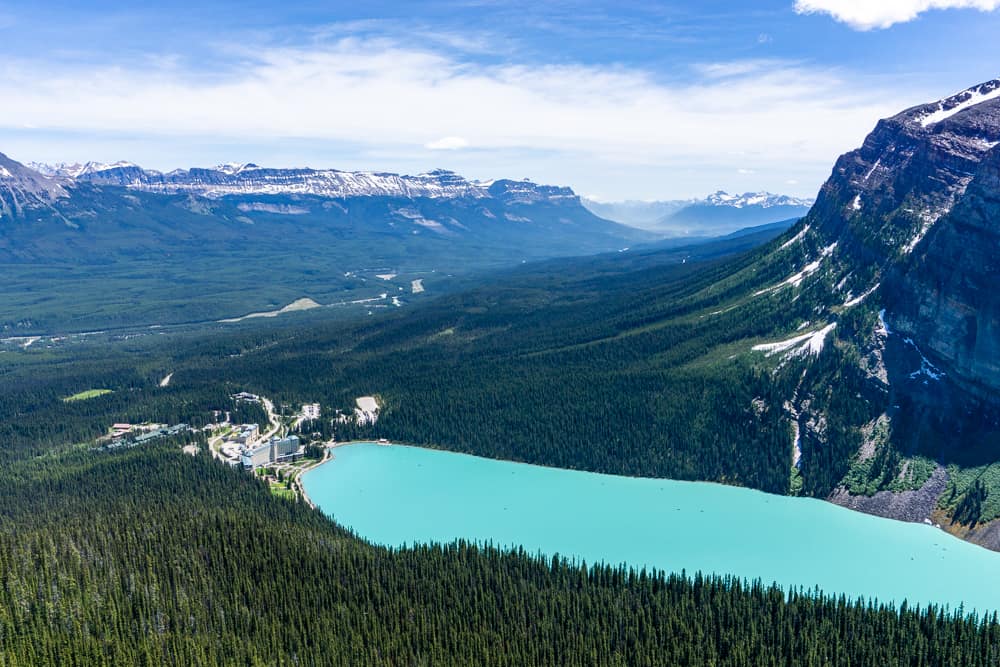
(872, 14)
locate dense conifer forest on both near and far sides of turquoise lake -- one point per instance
(150, 556)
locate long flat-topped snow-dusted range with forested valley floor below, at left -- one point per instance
(92, 246)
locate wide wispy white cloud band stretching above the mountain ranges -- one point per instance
(387, 98)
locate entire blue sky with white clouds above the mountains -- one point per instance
(619, 100)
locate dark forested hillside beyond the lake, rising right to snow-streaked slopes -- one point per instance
(700, 363)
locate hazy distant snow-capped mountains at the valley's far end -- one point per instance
(718, 213)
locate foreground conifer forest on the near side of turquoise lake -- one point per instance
(150, 556)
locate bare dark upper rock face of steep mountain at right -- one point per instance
(916, 211)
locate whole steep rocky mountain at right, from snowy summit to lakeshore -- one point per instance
(899, 254)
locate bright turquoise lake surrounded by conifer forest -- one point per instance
(399, 495)
